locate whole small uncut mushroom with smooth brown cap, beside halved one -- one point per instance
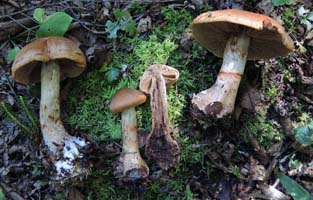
(133, 167)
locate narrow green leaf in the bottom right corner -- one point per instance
(294, 189)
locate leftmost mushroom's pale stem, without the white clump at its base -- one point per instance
(52, 128)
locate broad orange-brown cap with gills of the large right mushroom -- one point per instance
(267, 37)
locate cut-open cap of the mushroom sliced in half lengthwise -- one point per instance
(170, 75)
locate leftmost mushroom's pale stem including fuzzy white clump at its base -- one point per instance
(54, 133)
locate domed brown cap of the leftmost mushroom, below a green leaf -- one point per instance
(27, 64)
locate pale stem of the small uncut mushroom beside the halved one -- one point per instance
(134, 167)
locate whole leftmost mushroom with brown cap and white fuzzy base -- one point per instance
(50, 60)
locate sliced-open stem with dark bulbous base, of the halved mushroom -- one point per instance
(160, 145)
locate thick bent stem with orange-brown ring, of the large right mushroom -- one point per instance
(219, 100)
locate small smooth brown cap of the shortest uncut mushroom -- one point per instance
(126, 98)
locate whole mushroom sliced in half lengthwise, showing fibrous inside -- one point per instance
(160, 146)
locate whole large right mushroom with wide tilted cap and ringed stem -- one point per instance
(236, 36)
